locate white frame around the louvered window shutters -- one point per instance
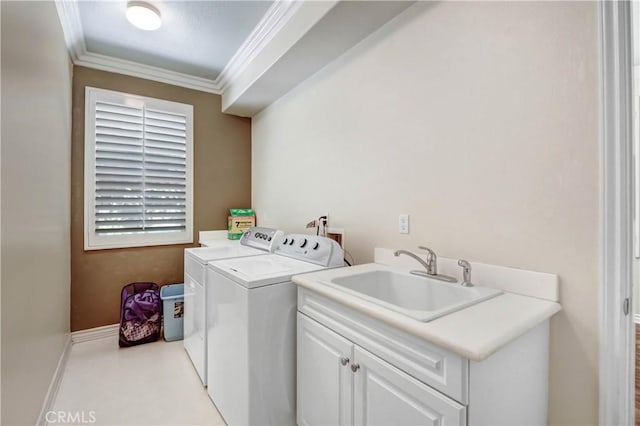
(92, 241)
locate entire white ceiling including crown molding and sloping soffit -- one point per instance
(251, 52)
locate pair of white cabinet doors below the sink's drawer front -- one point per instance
(339, 383)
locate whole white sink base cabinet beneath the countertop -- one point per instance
(353, 369)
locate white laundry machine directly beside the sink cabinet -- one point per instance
(251, 323)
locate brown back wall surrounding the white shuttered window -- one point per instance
(222, 180)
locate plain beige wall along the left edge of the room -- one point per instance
(36, 144)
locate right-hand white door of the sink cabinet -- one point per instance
(385, 395)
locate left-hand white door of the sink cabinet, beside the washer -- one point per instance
(324, 394)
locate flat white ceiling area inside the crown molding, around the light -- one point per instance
(197, 38)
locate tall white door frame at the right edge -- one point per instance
(616, 230)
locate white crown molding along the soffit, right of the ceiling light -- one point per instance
(271, 23)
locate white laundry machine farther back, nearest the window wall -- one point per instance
(256, 241)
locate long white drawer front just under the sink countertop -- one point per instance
(437, 367)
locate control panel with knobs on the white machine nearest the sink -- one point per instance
(311, 248)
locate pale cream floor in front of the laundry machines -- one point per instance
(152, 384)
